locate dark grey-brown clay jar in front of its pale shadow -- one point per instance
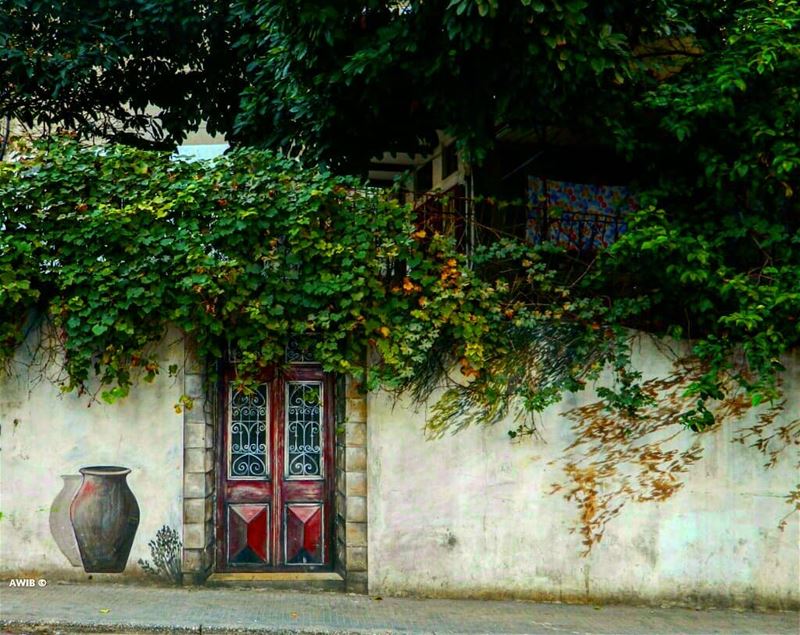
(105, 517)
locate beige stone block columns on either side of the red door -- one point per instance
(200, 453)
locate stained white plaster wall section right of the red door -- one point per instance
(471, 514)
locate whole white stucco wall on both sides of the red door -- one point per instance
(466, 515)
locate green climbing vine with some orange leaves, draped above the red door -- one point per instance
(251, 250)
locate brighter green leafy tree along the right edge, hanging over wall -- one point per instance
(717, 253)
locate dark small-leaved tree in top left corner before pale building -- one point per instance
(141, 73)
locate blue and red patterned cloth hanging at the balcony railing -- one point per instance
(581, 217)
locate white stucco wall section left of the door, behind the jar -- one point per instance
(46, 433)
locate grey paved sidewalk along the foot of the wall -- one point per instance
(105, 608)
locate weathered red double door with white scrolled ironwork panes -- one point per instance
(274, 503)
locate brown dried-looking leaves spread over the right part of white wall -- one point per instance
(616, 459)
